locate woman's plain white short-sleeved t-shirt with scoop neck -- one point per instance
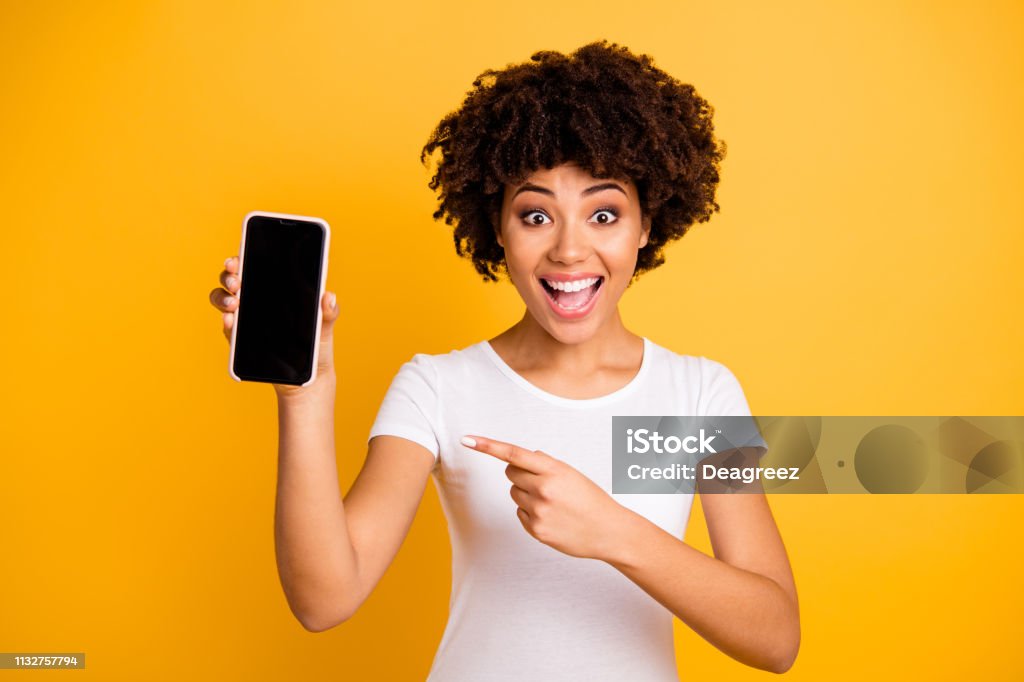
(521, 610)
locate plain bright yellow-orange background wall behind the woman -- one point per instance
(867, 261)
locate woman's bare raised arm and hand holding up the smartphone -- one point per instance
(331, 555)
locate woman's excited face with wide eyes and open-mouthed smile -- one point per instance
(571, 245)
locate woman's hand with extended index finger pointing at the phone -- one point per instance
(558, 504)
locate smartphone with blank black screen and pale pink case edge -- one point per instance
(283, 267)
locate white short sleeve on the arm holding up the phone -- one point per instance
(410, 408)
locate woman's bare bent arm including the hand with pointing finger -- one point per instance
(744, 603)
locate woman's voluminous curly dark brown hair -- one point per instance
(603, 107)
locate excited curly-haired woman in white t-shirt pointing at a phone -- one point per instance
(570, 174)
